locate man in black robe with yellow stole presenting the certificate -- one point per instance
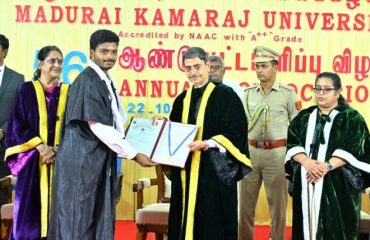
(202, 205)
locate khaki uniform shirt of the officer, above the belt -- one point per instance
(282, 106)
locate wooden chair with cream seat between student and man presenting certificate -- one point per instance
(153, 217)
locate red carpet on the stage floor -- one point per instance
(126, 230)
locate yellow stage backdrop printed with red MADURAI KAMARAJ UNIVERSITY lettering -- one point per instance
(312, 35)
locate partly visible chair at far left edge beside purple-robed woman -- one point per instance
(6, 207)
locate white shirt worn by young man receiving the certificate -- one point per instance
(113, 137)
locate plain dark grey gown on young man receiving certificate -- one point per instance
(83, 198)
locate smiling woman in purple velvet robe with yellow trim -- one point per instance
(31, 140)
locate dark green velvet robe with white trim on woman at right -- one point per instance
(338, 203)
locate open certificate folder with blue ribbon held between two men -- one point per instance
(166, 143)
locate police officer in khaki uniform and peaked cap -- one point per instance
(270, 106)
